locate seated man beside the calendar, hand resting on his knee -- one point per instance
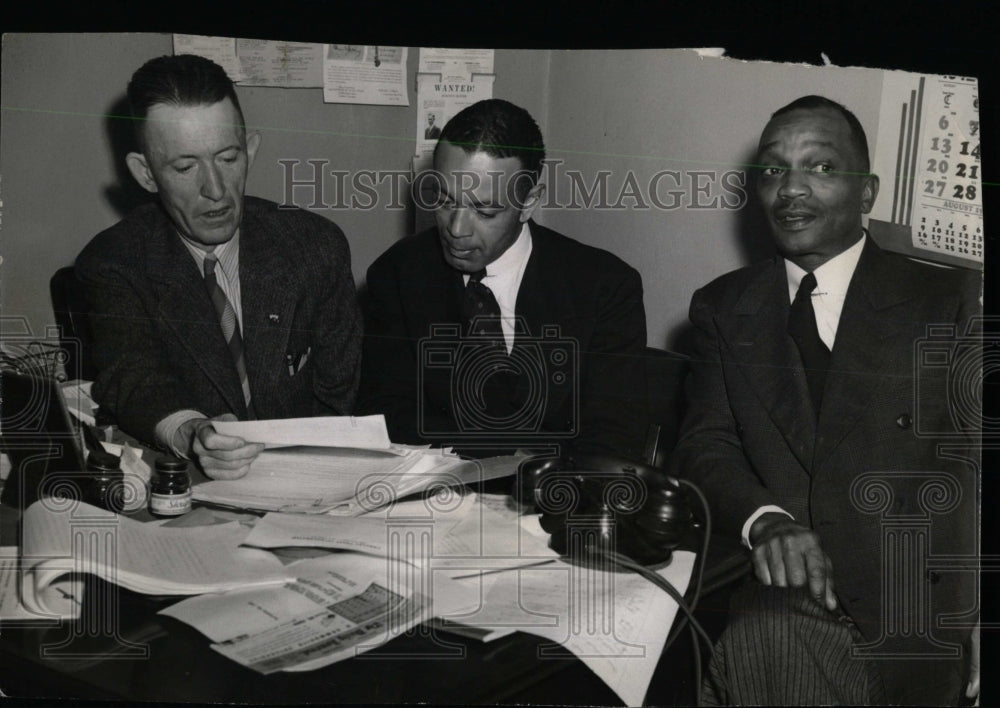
(805, 431)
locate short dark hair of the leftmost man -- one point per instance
(182, 80)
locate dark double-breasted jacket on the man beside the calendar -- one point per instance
(750, 436)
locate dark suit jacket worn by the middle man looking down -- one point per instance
(591, 296)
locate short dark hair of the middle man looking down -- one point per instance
(500, 129)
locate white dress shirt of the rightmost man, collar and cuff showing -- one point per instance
(832, 280)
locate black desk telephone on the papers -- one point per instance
(590, 503)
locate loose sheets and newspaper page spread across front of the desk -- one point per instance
(477, 563)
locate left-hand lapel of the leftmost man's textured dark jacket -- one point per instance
(185, 307)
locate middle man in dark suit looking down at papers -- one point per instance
(556, 353)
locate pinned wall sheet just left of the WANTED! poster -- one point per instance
(365, 74)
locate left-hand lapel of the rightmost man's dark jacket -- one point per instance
(756, 336)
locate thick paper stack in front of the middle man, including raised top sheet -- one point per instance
(344, 465)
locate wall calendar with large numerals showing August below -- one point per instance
(928, 160)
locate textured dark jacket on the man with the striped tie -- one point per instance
(158, 346)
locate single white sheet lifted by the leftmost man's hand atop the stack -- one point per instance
(364, 432)
